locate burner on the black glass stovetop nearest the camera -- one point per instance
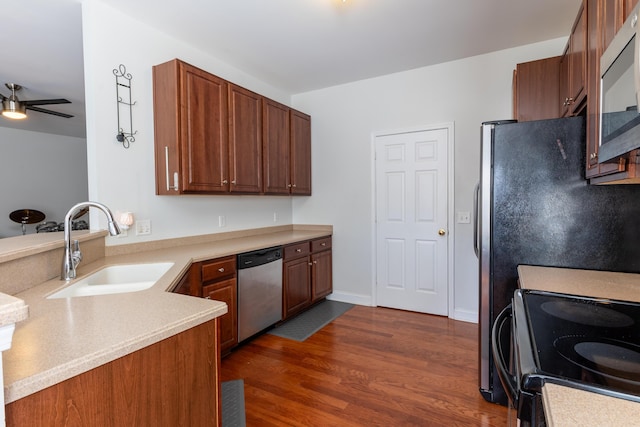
(609, 358)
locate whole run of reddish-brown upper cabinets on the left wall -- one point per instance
(215, 137)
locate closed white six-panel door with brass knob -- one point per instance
(411, 220)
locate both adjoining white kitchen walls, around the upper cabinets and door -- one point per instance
(344, 117)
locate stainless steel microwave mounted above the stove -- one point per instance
(619, 91)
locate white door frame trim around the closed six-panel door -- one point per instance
(449, 126)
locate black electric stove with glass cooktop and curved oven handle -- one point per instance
(591, 344)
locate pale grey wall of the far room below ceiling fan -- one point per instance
(40, 171)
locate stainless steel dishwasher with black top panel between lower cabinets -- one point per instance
(259, 291)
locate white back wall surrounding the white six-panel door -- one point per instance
(344, 118)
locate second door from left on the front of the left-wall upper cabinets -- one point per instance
(245, 140)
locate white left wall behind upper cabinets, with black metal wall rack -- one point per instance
(124, 179)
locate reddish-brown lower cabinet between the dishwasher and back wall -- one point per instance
(306, 274)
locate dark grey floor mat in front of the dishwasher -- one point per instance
(311, 321)
